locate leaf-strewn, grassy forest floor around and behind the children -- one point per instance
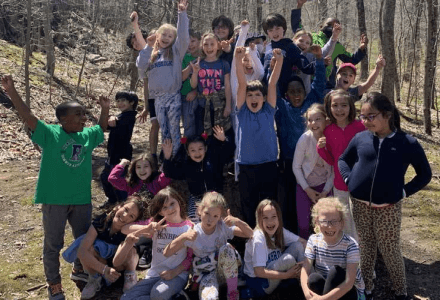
(21, 268)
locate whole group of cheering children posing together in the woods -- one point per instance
(342, 176)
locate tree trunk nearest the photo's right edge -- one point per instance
(430, 63)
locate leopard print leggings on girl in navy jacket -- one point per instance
(379, 228)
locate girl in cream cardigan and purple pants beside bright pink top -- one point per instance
(313, 175)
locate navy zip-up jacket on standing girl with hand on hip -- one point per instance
(377, 173)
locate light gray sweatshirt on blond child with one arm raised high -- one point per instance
(164, 75)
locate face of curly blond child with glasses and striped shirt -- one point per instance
(331, 233)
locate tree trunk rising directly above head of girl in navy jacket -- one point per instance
(386, 32)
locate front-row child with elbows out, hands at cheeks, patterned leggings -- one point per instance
(215, 260)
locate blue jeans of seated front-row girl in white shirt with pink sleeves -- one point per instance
(155, 288)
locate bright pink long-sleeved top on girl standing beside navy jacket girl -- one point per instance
(337, 140)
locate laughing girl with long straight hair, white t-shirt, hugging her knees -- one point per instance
(272, 255)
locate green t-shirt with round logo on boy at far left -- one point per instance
(66, 164)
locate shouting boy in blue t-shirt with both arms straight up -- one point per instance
(257, 144)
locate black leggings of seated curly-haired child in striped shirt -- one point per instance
(321, 286)
